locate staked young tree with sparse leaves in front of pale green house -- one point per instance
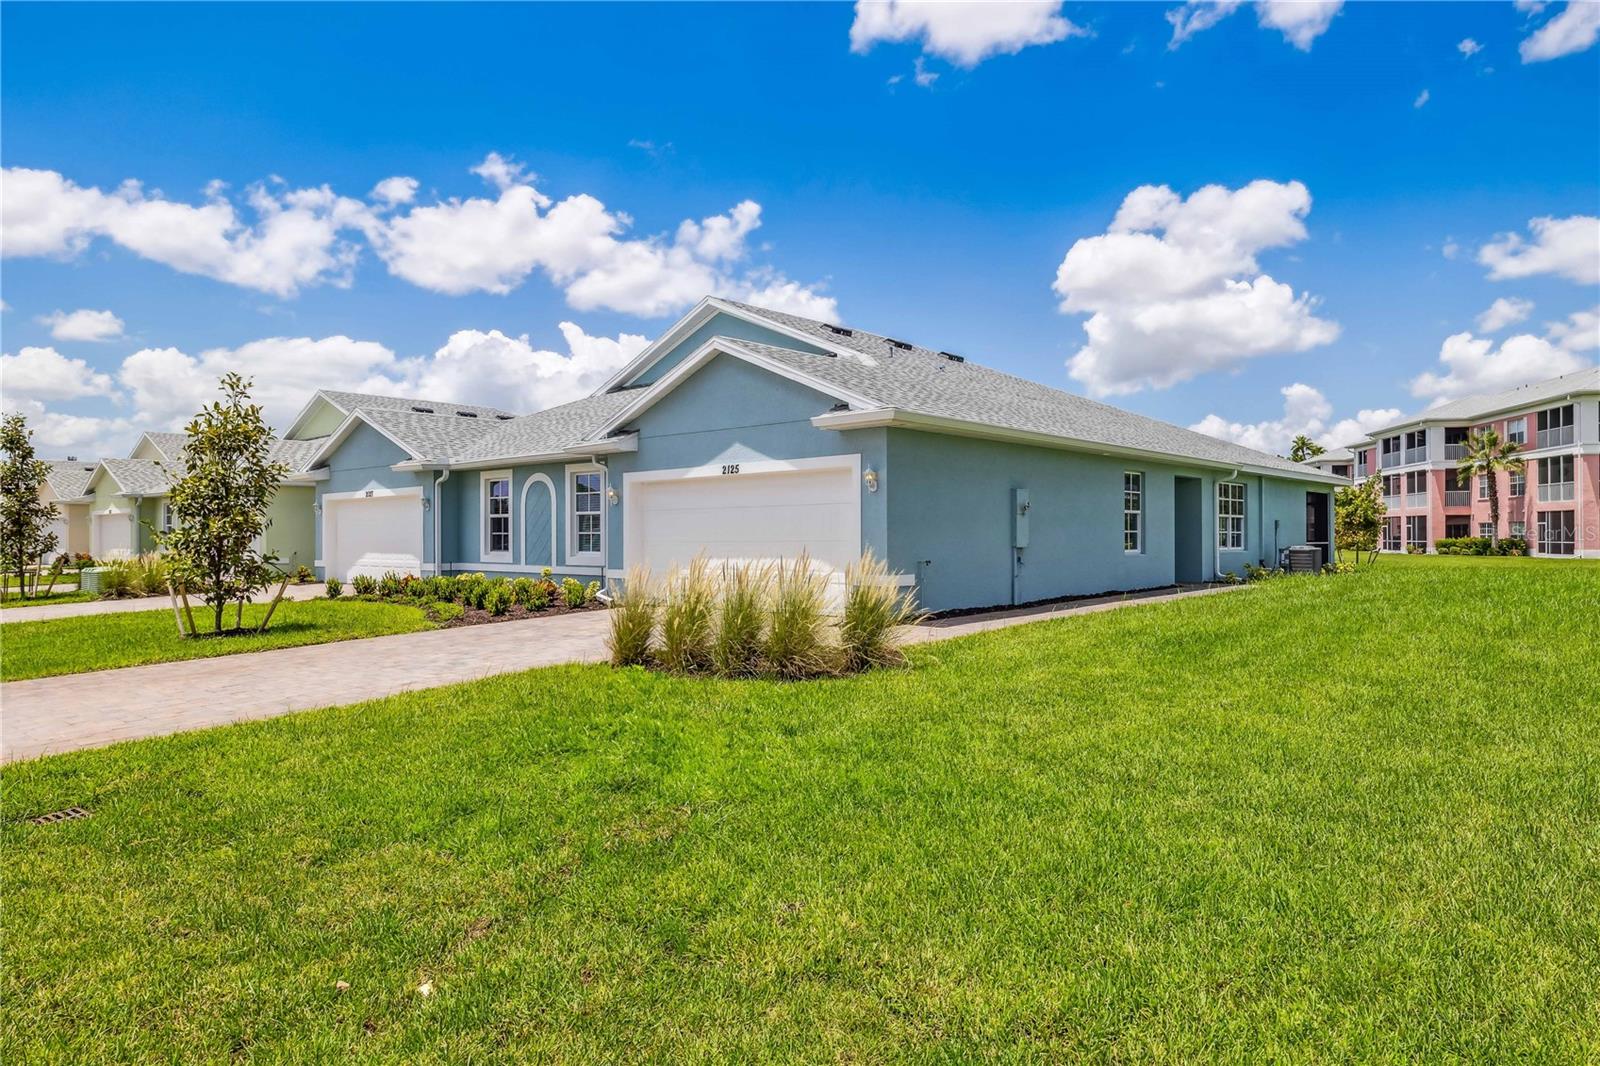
(220, 505)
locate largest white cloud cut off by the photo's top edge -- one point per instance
(962, 31)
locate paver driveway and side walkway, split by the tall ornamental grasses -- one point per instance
(55, 715)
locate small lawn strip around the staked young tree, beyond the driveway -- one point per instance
(97, 643)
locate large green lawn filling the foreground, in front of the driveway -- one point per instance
(1321, 819)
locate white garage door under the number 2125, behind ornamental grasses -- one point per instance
(750, 515)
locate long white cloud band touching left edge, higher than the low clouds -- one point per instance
(292, 244)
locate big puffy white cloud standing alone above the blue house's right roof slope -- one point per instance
(1174, 287)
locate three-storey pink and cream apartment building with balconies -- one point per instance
(1556, 503)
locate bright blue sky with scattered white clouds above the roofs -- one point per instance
(1348, 193)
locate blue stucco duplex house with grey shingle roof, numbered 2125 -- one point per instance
(751, 435)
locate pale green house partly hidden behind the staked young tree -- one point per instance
(129, 502)
